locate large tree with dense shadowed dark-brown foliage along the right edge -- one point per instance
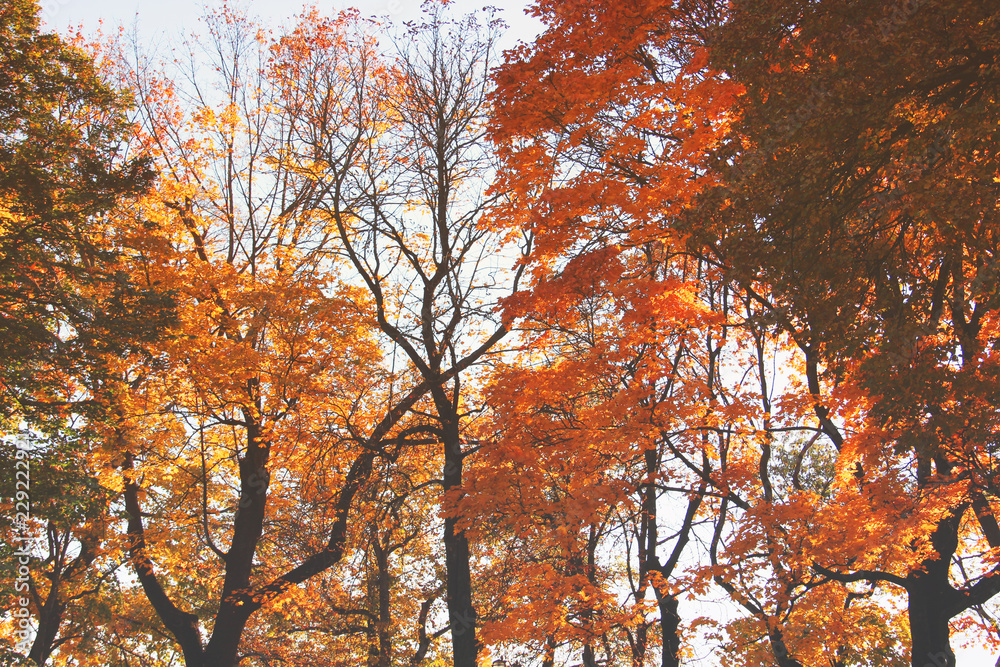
(846, 226)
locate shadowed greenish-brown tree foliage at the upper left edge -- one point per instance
(64, 165)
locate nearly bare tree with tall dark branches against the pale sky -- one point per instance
(407, 204)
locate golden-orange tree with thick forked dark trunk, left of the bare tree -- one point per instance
(243, 448)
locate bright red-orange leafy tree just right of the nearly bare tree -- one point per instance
(605, 124)
